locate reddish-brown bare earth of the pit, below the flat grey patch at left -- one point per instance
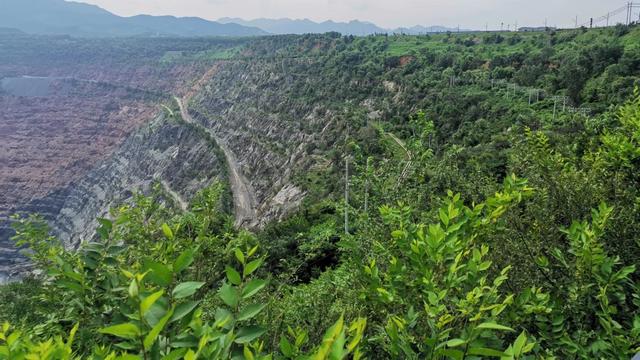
(49, 141)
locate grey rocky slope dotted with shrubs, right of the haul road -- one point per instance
(269, 145)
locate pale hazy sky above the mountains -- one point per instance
(387, 13)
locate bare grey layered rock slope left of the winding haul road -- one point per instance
(165, 152)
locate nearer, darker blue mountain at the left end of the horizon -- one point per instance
(60, 17)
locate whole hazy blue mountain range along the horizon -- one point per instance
(60, 17)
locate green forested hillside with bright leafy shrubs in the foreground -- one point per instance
(480, 200)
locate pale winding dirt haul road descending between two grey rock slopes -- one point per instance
(244, 200)
